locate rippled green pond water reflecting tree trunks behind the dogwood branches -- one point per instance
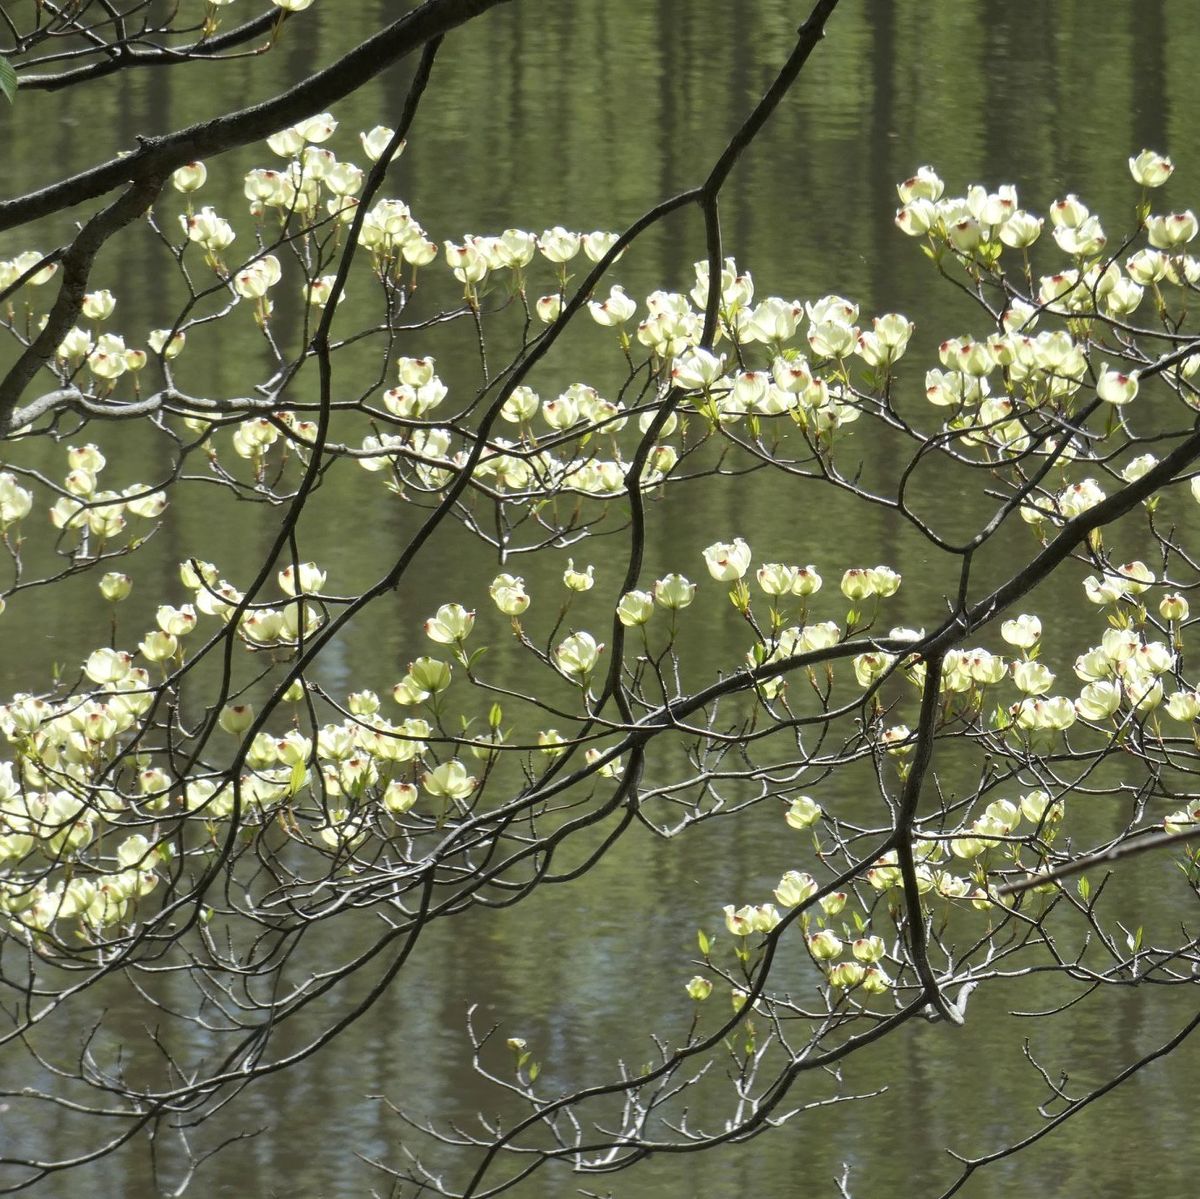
(586, 115)
